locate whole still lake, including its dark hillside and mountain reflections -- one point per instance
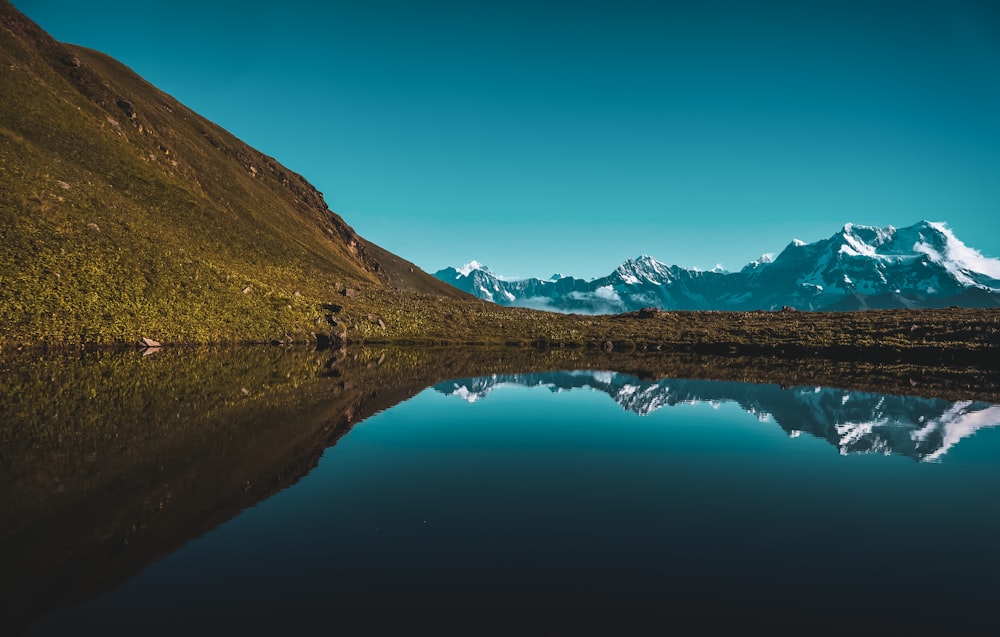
(283, 492)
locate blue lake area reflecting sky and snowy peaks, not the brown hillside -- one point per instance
(560, 502)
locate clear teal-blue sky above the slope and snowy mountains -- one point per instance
(541, 137)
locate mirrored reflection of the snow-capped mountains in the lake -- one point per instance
(854, 422)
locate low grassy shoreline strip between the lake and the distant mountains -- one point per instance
(373, 315)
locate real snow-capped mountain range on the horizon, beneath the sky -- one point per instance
(859, 267)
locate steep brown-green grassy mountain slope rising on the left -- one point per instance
(123, 213)
